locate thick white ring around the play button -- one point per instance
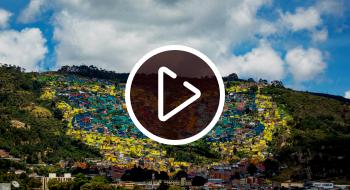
(221, 91)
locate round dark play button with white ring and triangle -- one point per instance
(174, 95)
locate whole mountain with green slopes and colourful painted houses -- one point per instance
(72, 113)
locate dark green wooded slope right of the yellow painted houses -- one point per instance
(320, 137)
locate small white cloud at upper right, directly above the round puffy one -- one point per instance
(302, 19)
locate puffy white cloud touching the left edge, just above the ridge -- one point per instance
(24, 48)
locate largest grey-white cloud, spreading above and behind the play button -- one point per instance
(115, 35)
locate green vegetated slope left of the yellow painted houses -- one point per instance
(28, 129)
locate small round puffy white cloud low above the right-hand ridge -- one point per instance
(305, 64)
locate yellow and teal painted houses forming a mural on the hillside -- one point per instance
(96, 114)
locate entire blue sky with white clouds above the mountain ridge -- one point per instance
(303, 43)
